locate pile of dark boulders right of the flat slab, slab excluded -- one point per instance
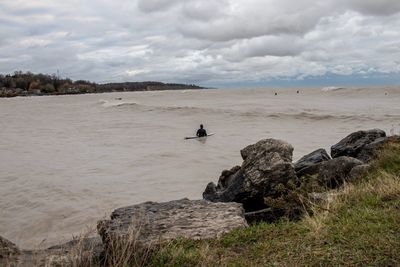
(269, 185)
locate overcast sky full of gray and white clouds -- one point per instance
(208, 42)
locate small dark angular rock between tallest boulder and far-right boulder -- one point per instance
(308, 165)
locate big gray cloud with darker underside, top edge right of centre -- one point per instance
(257, 18)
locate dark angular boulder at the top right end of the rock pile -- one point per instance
(356, 144)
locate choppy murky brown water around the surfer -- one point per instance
(67, 161)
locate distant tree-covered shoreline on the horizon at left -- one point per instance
(20, 84)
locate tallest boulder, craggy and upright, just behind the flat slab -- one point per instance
(266, 166)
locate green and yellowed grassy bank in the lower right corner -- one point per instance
(360, 227)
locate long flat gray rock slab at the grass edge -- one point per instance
(151, 222)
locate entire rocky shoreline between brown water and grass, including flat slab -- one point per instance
(267, 186)
